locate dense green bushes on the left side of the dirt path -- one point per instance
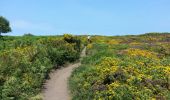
(25, 64)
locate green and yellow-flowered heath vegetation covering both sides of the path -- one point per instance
(116, 67)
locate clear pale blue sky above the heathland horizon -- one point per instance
(102, 17)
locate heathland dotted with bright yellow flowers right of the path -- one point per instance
(124, 68)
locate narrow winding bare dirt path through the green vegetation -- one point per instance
(56, 87)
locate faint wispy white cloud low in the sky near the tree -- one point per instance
(27, 25)
